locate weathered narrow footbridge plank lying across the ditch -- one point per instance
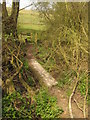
(41, 74)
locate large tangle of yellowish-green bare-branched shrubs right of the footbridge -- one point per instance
(66, 35)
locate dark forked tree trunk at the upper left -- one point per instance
(10, 22)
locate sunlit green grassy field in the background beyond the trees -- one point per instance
(30, 20)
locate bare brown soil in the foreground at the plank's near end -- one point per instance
(63, 100)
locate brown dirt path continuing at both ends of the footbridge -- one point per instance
(60, 94)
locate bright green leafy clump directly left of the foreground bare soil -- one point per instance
(47, 105)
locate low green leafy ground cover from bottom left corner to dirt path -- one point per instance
(18, 106)
